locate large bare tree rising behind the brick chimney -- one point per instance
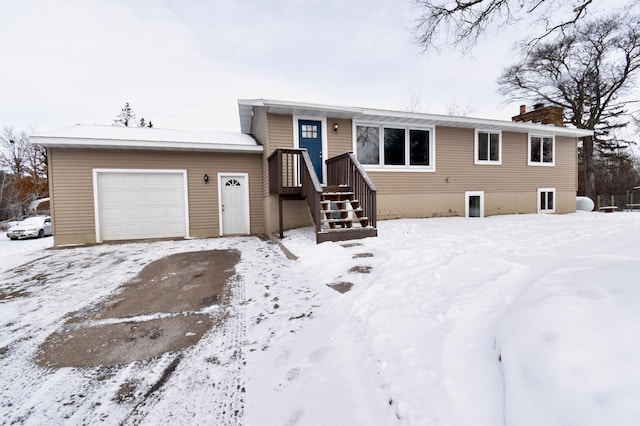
(588, 71)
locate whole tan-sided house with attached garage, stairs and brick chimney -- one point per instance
(295, 164)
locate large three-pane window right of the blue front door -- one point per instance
(394, 147)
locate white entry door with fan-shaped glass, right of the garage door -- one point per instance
(234, 203)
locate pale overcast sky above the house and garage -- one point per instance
(184, 64)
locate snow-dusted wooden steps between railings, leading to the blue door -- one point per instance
(342, 216)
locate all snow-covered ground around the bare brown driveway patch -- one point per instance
(517, 320)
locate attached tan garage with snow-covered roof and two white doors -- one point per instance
(112, 183)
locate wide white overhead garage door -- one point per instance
(136, 205)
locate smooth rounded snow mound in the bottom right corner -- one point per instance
(570, 343)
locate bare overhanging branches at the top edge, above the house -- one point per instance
(462, 22)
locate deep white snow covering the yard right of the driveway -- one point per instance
(419, 339)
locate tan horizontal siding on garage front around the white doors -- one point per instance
(72, 187)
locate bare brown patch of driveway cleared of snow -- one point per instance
(156, 312)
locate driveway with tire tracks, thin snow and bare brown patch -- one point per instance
(145, 333)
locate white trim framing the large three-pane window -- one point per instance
(394, 168)
